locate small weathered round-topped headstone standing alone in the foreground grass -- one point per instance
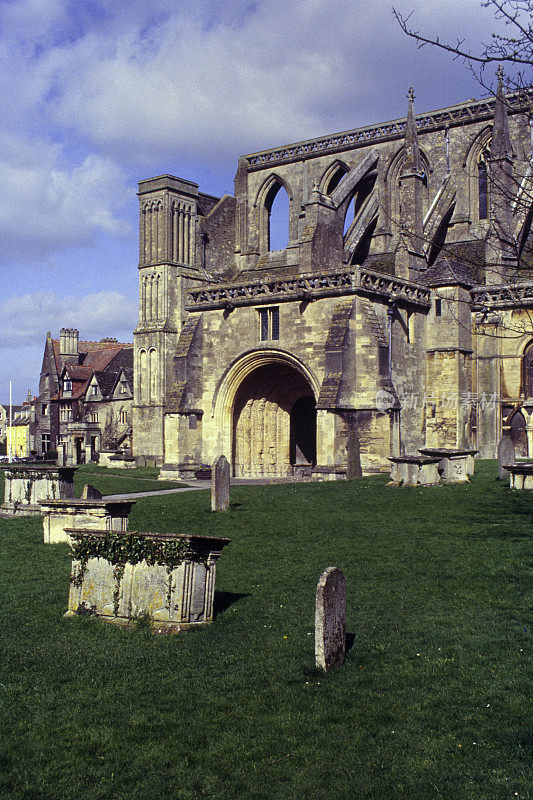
(330, 619)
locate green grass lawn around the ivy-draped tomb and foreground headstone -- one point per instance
(432, 703)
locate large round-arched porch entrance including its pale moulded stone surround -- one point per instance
(252, 413)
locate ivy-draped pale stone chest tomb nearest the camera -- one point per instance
(171, 598)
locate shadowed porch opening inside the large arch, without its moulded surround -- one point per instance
(274, 422)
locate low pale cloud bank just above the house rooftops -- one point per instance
(25, 319)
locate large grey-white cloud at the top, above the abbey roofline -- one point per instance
(165, 80)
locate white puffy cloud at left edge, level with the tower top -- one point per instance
(49, 204)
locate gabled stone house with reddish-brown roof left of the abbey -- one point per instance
(85, 396)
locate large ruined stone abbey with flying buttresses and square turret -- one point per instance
(395, 316)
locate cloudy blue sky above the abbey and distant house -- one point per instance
(99, 94)
